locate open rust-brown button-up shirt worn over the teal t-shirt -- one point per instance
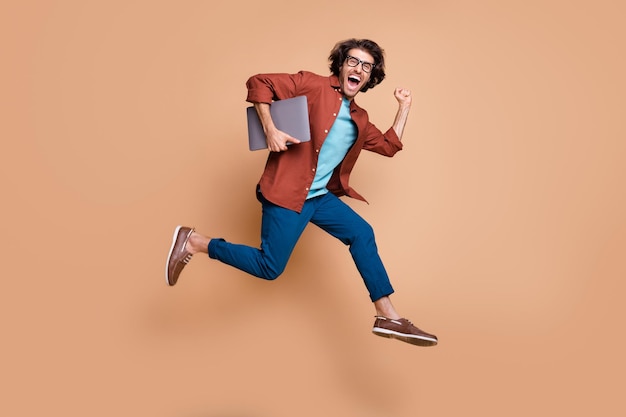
(289, 174)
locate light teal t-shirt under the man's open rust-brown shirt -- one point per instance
(341, 137)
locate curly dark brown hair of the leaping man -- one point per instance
(340, 52)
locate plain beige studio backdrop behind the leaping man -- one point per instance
(502, 222)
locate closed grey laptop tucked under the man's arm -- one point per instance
(290, 115)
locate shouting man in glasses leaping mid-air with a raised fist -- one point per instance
(301, 182)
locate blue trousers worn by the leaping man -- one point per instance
(281, 228)
